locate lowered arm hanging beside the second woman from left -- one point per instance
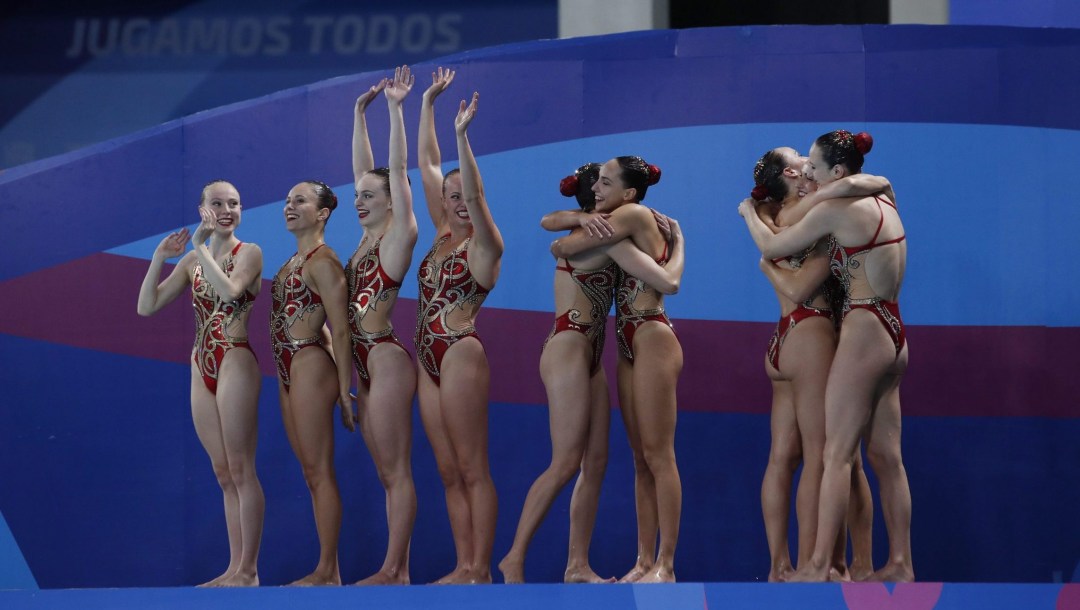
(329, 282)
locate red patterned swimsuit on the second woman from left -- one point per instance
(293, 301)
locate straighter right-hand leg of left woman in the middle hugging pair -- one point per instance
(587, 491)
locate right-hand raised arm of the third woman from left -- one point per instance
(403, 229)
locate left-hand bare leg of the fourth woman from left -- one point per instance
(457, 504)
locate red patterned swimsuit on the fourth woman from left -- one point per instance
(444, 289)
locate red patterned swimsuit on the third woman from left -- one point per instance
(369, 287)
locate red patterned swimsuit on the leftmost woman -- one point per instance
(213, 319)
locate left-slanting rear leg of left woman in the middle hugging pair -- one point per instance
(564, 368)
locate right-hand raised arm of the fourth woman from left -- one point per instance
(487, 240)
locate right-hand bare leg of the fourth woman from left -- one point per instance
(464, 399)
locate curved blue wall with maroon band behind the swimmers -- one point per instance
(977, 128)
